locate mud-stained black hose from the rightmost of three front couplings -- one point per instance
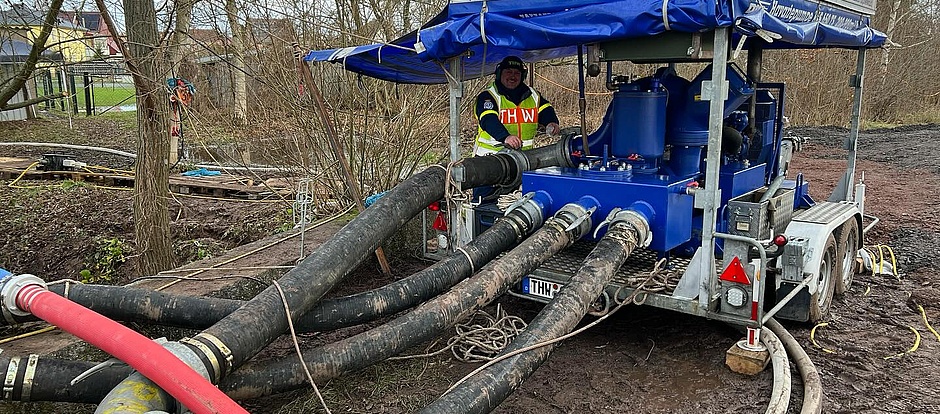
(485, 390)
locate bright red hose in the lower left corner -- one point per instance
(146, 356)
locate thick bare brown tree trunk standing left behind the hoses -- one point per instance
(151, 217)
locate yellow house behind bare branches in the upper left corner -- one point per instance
(22, 23)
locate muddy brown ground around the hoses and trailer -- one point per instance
(640, 360)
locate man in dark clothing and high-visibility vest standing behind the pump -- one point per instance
(510, 112)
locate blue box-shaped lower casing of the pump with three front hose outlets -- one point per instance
(671, 223)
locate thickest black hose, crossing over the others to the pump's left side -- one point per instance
(241, 334)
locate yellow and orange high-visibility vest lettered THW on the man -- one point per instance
(521, 121)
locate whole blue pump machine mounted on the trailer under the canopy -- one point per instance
(650, 150)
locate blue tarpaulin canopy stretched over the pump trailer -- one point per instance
(484, 32)
